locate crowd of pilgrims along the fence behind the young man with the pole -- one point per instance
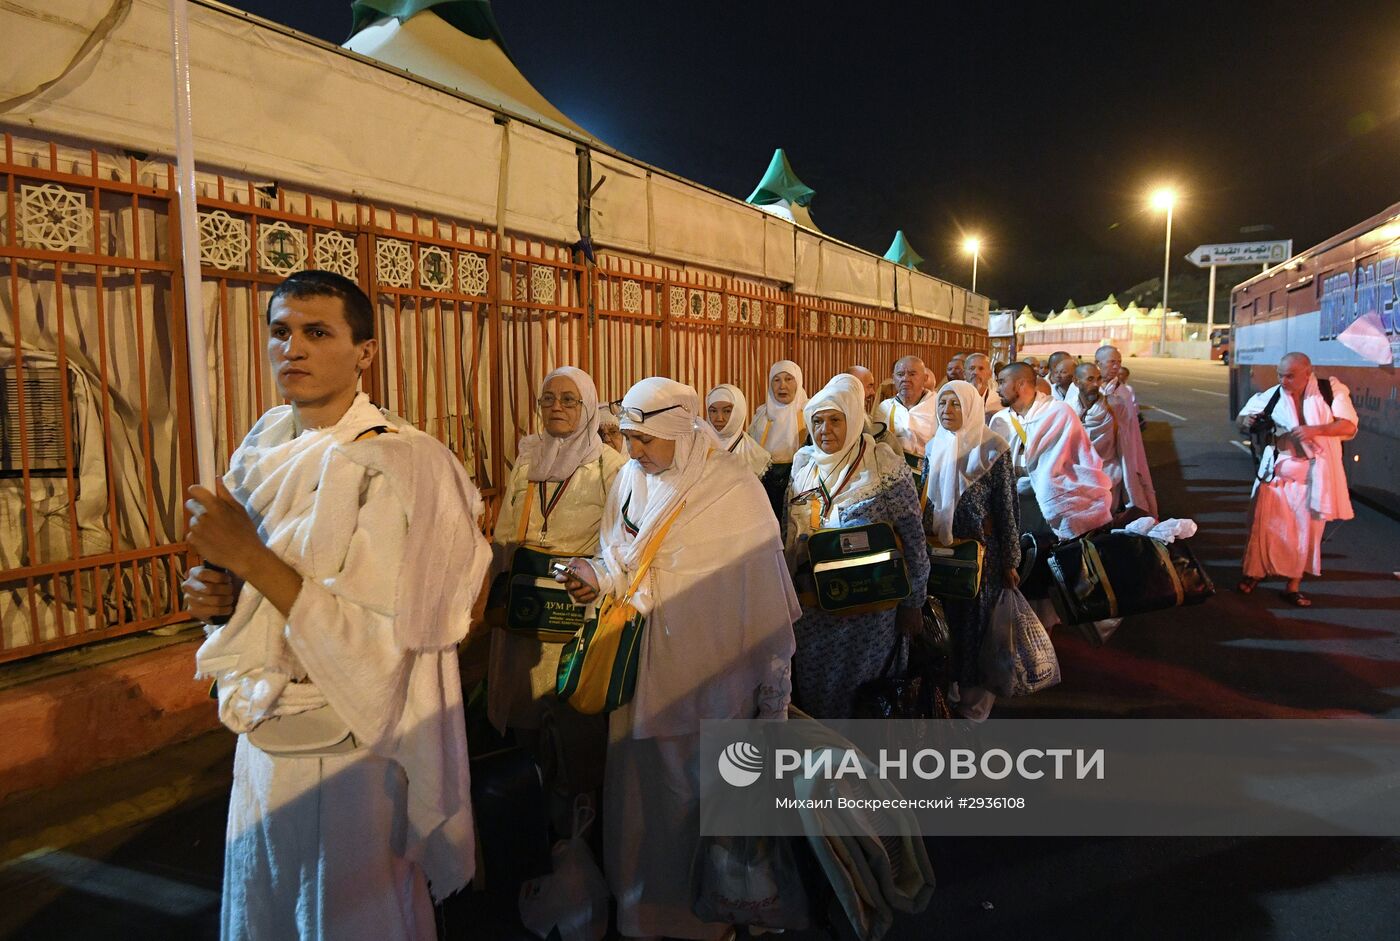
(733, 625)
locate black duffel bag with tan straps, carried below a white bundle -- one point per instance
(1118, 575)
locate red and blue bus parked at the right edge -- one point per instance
(1333, 302)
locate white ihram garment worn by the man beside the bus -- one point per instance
(1307, 491)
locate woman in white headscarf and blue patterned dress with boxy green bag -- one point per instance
(848, 480)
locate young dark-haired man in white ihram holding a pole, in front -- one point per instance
(353, 552)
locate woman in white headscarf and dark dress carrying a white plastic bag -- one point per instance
(971, 489)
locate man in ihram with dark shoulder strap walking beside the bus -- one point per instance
(1301, 482)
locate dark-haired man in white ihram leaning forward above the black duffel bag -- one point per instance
(1059, 474)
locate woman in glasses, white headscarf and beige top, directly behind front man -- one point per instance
(554, 503)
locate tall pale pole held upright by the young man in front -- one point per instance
(197, 344)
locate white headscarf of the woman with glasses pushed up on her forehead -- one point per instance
(652, 498)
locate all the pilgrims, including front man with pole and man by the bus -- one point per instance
(345, 566)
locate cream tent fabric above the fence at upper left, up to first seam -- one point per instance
(267, 104)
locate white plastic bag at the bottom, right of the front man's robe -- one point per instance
(573, 900)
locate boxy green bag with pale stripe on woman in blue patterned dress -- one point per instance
(859, 569)
